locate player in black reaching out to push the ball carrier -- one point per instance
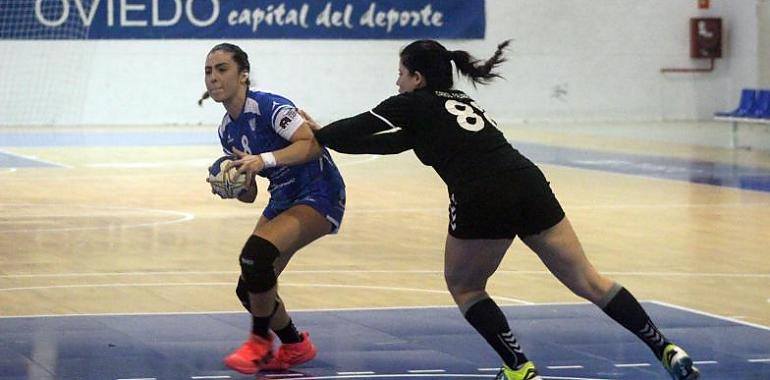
(495, 194)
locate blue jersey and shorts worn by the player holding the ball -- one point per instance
(266, 124)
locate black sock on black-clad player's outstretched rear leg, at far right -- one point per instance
(627, 311)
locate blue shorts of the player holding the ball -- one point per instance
(325, 195)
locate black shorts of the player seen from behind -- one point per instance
(516, 202)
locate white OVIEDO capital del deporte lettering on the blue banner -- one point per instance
(167, 13)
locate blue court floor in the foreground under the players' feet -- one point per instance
(567, 341)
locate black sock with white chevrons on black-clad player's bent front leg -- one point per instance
(487, 318)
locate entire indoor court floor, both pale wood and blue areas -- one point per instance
(116, 262)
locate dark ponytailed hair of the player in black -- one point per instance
(433, 61)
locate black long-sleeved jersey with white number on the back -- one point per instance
(446, 129)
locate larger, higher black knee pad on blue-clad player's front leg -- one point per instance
(257, 259)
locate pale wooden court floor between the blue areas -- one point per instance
(134, 229)
